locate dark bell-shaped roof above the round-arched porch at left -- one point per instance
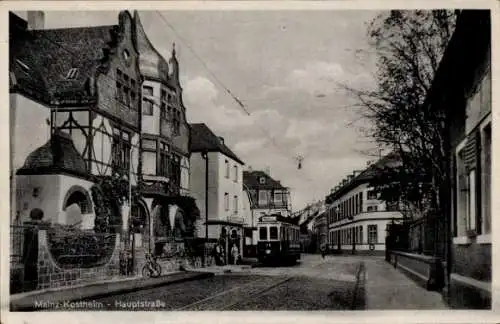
(59, 154)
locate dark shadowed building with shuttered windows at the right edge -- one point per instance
(462, 87)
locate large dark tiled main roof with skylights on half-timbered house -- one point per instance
(41, 59)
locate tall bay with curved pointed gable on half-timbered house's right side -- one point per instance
(164, 129)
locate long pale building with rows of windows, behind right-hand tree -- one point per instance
(357, 219)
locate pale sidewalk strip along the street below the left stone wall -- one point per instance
(29, 301)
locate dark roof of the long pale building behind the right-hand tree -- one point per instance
(388, 161)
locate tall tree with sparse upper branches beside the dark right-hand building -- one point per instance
(409, 46)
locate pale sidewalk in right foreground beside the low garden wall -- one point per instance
(387, 288)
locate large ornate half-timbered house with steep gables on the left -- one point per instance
(79, 93)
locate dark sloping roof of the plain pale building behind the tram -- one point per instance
(203, 139)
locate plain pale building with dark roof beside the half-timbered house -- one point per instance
(217, 185)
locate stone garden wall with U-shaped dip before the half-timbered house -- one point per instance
(50, 275)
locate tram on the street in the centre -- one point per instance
(278, 240)
